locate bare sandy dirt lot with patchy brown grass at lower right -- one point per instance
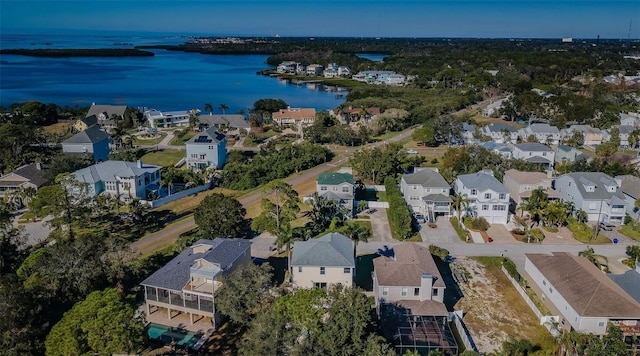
(493, 308)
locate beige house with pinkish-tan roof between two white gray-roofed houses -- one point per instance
(520, 184)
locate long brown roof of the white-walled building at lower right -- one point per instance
(589, 291)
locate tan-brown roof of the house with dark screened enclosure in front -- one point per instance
(406, 268)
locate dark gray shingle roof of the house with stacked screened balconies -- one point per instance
(175, 274)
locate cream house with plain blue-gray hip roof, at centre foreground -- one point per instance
(321, 262)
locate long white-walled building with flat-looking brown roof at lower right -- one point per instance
(585, 298)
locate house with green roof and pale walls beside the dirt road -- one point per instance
(337, 186)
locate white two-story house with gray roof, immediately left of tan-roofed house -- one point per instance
(487, 197)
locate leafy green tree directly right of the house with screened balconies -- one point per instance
(245, 293)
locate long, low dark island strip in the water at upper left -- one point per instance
(83, 52)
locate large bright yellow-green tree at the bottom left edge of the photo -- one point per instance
(101, 324)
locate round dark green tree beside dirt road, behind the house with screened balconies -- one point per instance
(219, 215)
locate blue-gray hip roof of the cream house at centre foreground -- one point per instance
(330, 250)
